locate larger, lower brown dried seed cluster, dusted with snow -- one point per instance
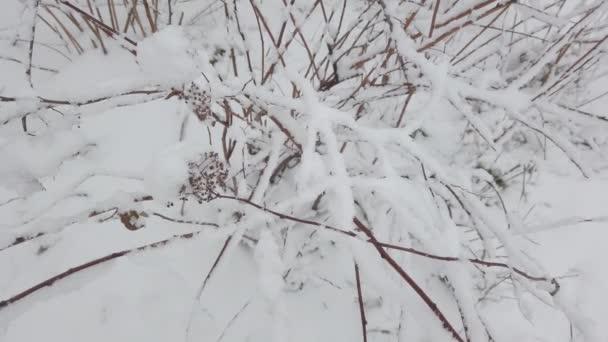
(205, 176)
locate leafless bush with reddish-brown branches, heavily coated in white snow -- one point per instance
(393, 128)
